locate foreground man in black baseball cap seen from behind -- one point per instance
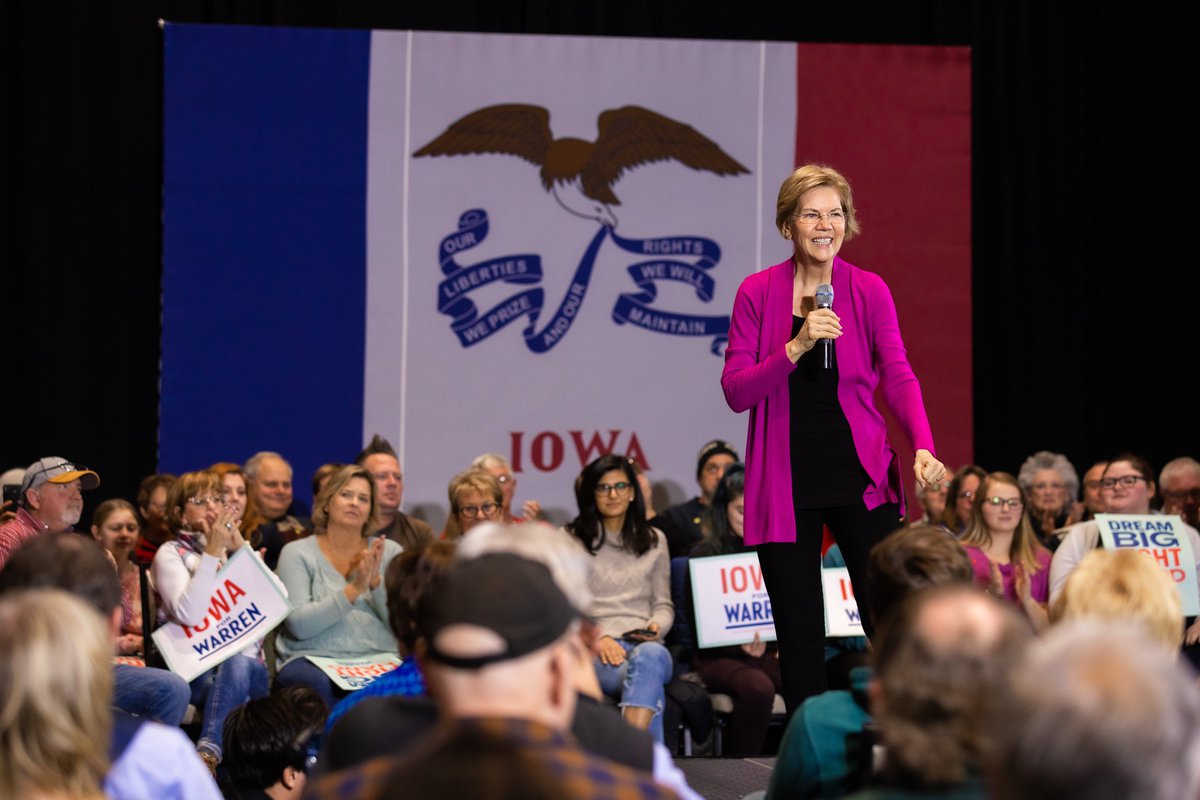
(502, 651)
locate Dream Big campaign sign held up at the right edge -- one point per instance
(1162, 538)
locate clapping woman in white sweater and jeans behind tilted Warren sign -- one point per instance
(185, 574)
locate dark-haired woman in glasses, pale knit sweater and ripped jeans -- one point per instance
(632, 590)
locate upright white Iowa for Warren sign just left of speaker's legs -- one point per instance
(731, 600)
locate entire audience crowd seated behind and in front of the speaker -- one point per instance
(547, 651)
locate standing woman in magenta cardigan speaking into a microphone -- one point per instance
(818, 452)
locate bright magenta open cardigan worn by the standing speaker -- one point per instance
(869, 352)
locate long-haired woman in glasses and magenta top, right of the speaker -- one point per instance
(1006, 555)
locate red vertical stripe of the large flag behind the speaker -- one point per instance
(897, 122)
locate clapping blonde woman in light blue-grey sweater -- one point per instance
(335, 586)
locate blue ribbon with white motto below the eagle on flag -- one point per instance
(472, 327)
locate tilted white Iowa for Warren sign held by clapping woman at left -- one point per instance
(247, 604)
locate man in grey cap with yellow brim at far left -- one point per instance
(51, 502)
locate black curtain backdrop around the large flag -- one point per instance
(1082, 281)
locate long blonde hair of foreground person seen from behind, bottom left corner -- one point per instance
(56, 715)
